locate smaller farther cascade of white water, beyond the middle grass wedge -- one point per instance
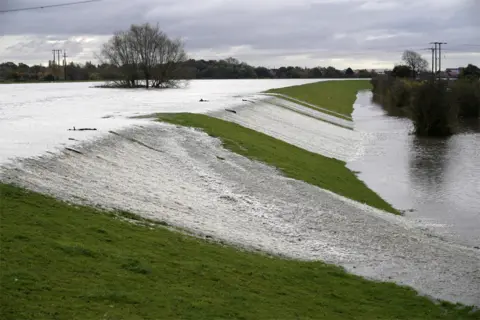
(299, 126)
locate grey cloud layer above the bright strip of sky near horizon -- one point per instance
(281, 26)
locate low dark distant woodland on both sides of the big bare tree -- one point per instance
(191, 69)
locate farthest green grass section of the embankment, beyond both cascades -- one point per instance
(338, 96)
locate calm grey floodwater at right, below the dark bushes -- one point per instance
(436, 181)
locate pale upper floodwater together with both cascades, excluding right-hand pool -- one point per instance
(173, 174)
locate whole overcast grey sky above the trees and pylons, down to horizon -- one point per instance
(341, 33)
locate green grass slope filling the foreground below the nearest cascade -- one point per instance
(60, 261)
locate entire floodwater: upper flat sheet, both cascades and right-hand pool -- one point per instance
(175, 174)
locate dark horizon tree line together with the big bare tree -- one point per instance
(145, 56)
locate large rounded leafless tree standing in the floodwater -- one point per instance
(146, 53)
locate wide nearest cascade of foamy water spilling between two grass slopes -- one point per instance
(176, 174)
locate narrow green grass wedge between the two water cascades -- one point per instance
(327, 173)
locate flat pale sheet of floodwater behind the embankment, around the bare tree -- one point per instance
(34, 118)
